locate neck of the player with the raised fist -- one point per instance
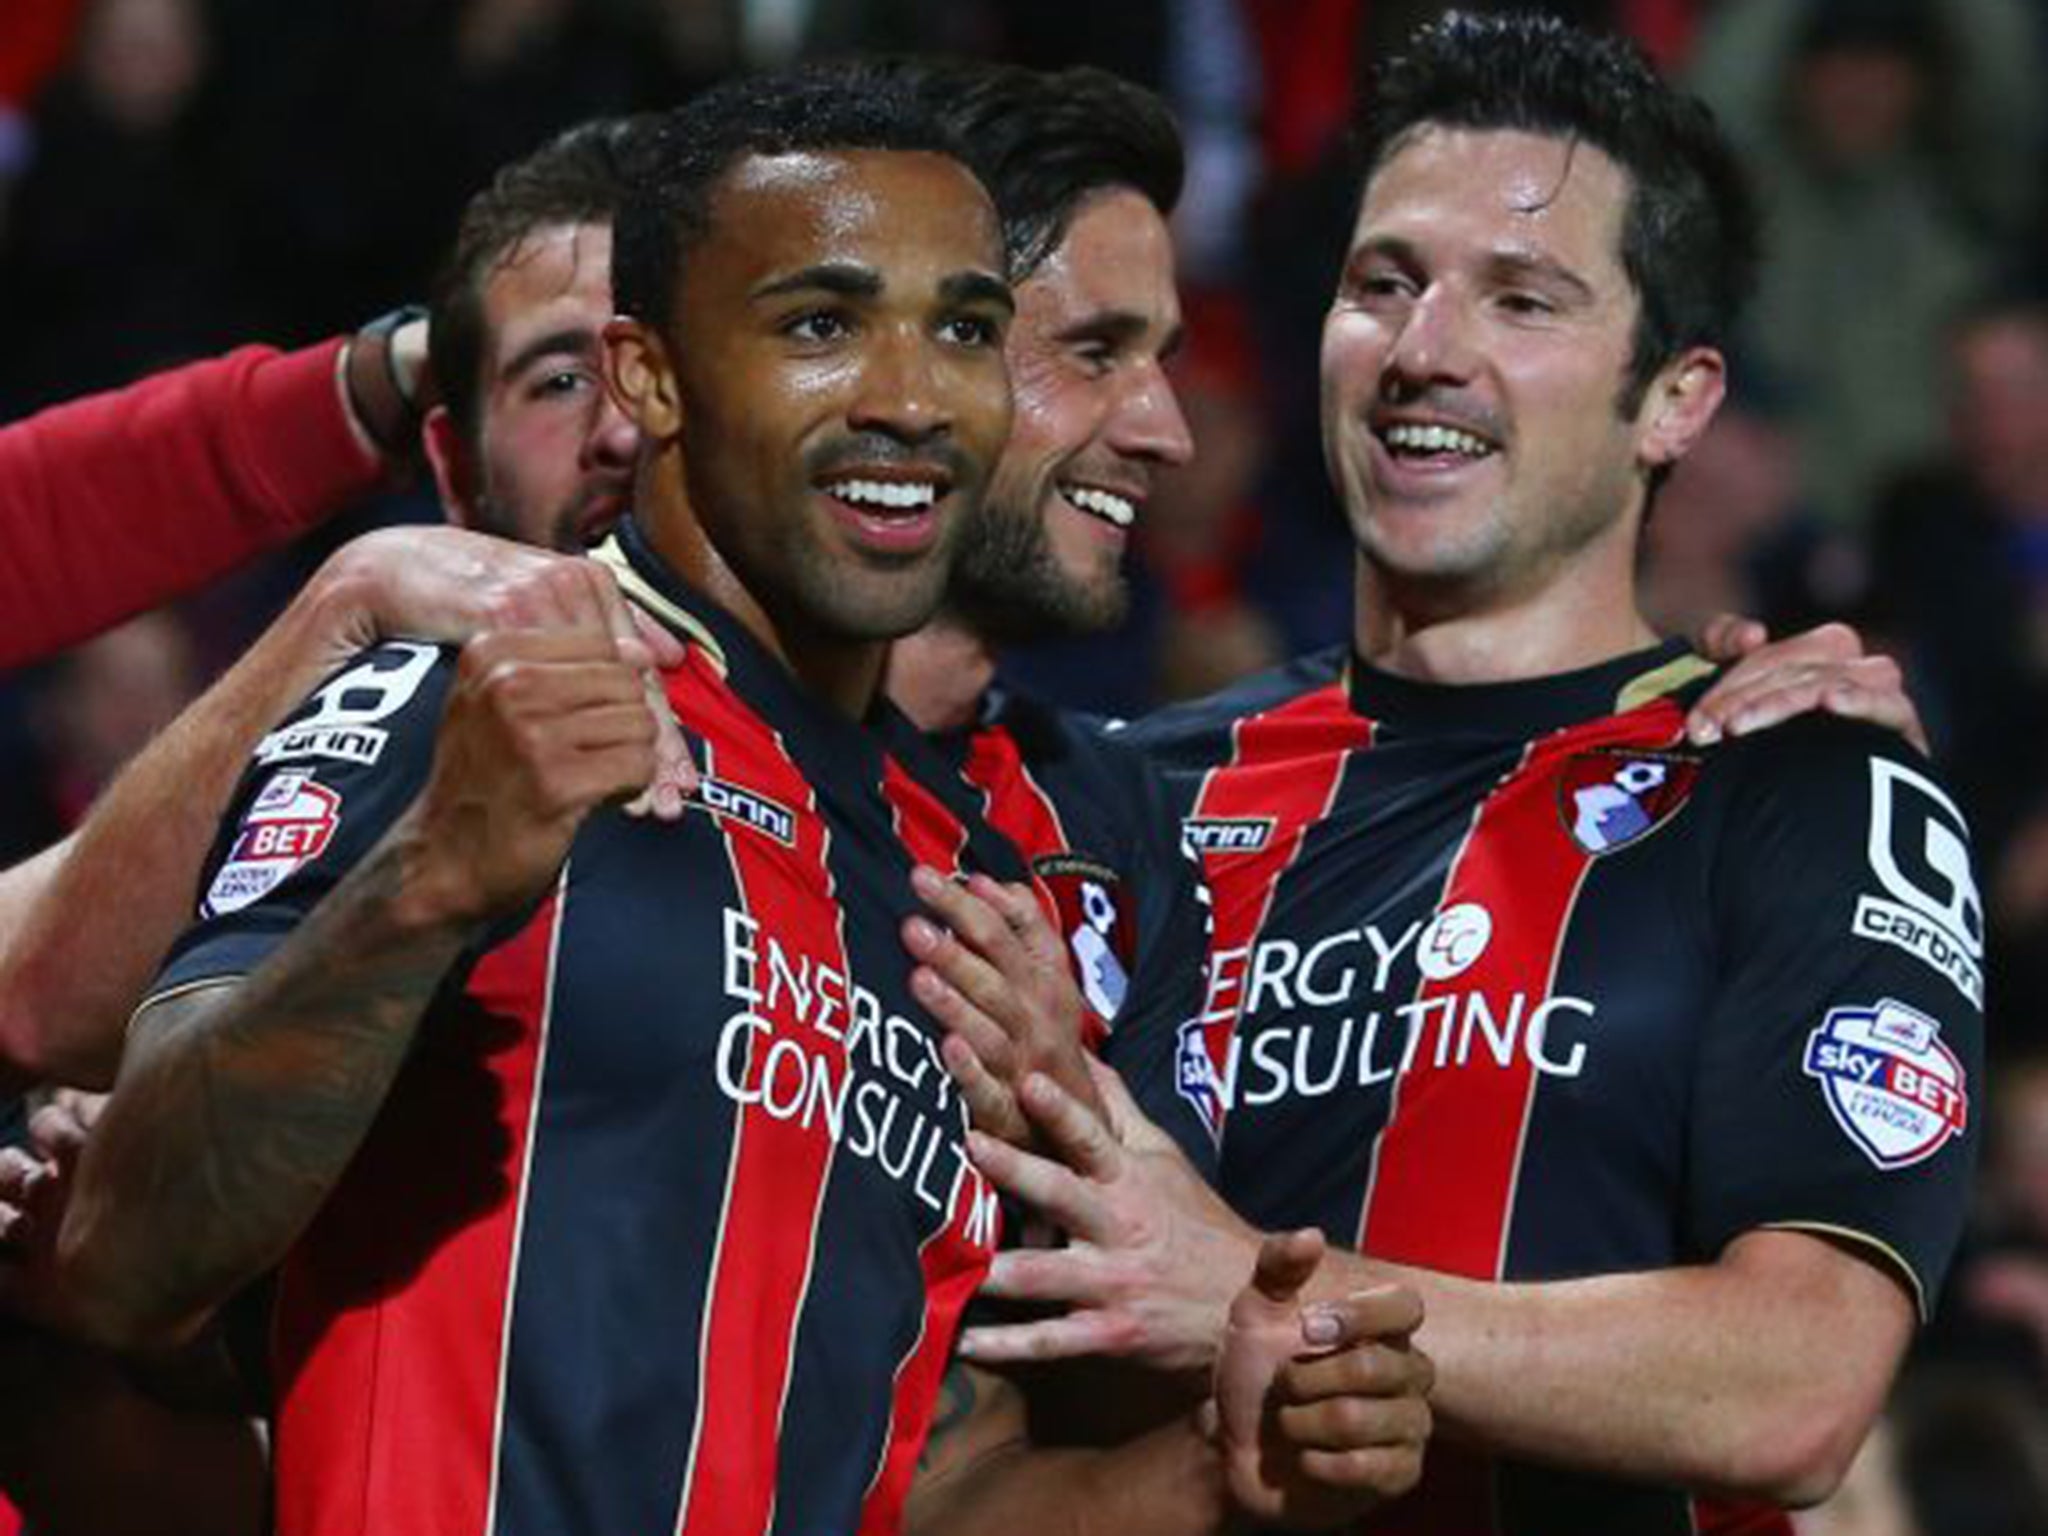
(847, 675)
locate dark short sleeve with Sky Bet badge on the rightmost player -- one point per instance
(1840, 1074)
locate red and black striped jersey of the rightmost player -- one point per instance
(1512, 984)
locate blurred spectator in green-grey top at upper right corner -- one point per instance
(1897, 144)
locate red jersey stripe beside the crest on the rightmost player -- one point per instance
(1445, 1170)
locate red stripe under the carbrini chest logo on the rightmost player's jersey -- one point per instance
(1281, 781)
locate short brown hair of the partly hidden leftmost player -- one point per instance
(579, 177)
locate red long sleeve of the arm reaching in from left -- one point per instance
(118, 503)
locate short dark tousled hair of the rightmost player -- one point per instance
(1691, 226)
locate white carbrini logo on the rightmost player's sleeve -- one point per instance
(1928, 902)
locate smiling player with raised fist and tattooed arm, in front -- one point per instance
(648, 1201)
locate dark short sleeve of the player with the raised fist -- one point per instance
(318, 796)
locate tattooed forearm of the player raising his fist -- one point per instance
(243, 1105)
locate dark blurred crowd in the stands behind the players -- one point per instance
(185, 175)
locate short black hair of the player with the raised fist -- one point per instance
(818, 108)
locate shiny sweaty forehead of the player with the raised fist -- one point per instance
(804, 208)
